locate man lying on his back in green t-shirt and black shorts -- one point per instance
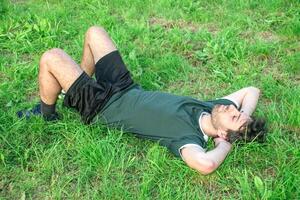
(182, 124)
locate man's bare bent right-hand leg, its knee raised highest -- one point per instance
(97, 44)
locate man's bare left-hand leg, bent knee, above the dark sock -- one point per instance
(57, 71)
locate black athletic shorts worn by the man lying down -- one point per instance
(88, 96)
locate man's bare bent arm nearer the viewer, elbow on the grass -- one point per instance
(206, 162)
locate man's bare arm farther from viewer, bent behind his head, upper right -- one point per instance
(246, 99)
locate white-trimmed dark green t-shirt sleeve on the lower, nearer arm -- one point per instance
(176, 145)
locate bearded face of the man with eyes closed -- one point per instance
(228, 119)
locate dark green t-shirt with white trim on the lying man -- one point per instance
(170, 119)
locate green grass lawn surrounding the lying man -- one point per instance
(204, 49)
